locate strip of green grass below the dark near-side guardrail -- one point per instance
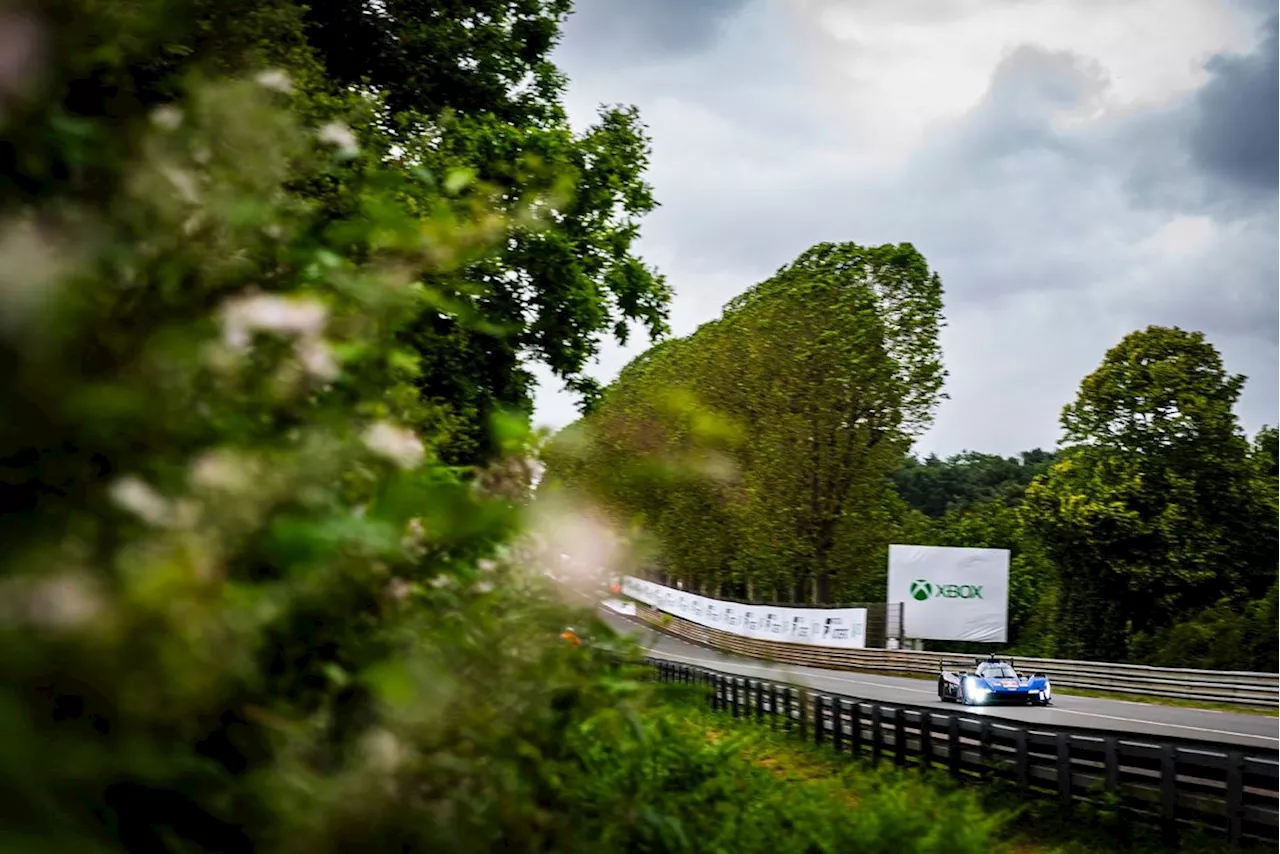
(893, 798)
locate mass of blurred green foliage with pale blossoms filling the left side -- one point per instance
(266, 431)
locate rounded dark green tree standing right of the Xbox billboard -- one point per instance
(1151, 513)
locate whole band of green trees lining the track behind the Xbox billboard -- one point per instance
(1153, 535)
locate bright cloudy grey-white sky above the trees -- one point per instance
(1075, 170)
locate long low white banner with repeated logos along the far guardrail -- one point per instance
(842, 628)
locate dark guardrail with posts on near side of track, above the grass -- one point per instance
(1171, 783)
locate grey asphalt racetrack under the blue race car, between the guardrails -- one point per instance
(1122, 716)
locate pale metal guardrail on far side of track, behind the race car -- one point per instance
(1242, 688)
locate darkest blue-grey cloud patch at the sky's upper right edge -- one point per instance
(1237, 117)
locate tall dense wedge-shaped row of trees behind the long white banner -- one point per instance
(758, 451)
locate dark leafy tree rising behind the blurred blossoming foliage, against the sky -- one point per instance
(469, 90)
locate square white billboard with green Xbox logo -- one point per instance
(952, 593)
